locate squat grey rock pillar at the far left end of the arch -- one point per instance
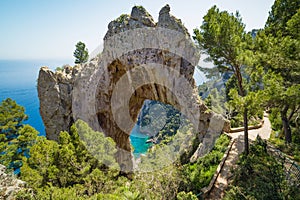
(54, 90)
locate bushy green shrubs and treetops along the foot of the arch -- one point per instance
(68, 168)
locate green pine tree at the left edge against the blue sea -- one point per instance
(15, 138)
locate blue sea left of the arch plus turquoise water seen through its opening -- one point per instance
(18, 81)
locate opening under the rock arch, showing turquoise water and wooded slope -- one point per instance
(156, 123)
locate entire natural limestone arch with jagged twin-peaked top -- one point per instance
(141, 60)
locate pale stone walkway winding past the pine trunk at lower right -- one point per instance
(217, 191)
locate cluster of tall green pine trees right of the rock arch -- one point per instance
(269, 67)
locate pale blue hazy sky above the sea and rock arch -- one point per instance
(49, 29)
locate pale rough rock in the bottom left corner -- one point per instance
(9, 185)
